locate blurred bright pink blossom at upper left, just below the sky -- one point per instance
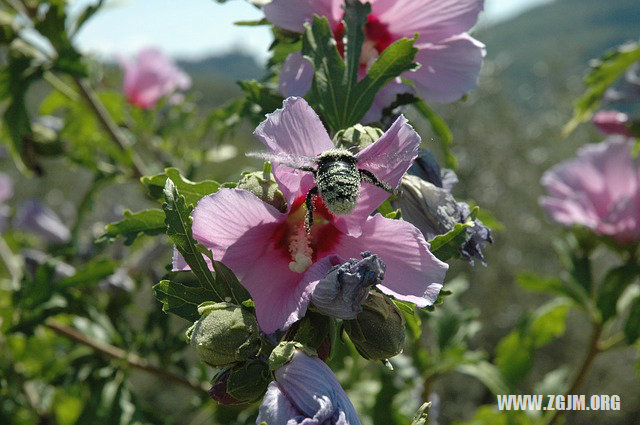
(151, 77)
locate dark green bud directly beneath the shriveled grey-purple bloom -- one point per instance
(378, 332)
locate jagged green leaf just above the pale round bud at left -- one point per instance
(181, 299)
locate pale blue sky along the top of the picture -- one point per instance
(195, 28)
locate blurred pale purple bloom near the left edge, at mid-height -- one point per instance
(37, 218)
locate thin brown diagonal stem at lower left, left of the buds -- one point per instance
(131, 359)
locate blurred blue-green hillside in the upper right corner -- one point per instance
(560, 37)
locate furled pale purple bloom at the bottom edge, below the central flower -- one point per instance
(306, 392)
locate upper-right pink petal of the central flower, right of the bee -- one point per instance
(388, 159)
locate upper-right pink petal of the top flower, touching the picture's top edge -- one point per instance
(434, 20)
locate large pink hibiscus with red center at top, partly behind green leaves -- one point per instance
(450, 58)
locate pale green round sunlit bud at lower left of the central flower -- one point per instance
(225, 334)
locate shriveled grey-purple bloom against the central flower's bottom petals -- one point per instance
(341, 293)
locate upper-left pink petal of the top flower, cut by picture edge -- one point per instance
(292, 14)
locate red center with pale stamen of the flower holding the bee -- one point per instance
(303, 248)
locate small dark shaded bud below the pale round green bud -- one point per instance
(243, 383)
